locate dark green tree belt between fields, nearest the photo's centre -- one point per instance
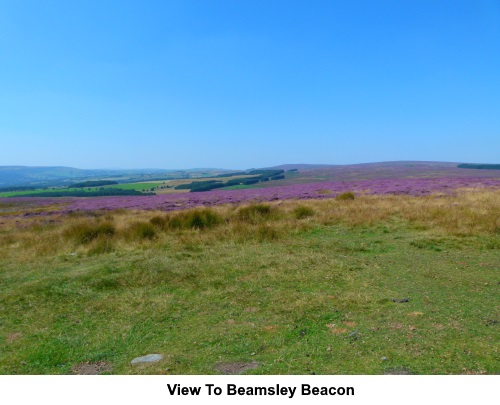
(257, 177)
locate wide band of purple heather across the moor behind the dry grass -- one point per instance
(172, 202)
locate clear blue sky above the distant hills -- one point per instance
(239, 84)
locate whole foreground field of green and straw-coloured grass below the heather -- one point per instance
(293, 287)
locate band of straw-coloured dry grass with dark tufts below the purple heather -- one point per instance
(468, 213)
